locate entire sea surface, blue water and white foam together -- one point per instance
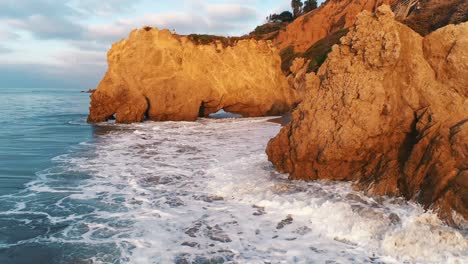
(201, 192)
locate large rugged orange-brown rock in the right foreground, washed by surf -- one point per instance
(390, 113)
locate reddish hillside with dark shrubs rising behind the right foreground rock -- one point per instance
(312, 35)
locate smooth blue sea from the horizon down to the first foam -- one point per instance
(35, 126)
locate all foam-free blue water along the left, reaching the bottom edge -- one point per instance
(36, 125)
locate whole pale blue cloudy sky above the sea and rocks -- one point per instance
(63, 43)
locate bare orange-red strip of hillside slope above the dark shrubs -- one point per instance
(330, 17)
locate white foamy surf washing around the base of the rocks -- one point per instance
(205, 191)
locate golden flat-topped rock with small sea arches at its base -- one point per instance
(163, 76)
